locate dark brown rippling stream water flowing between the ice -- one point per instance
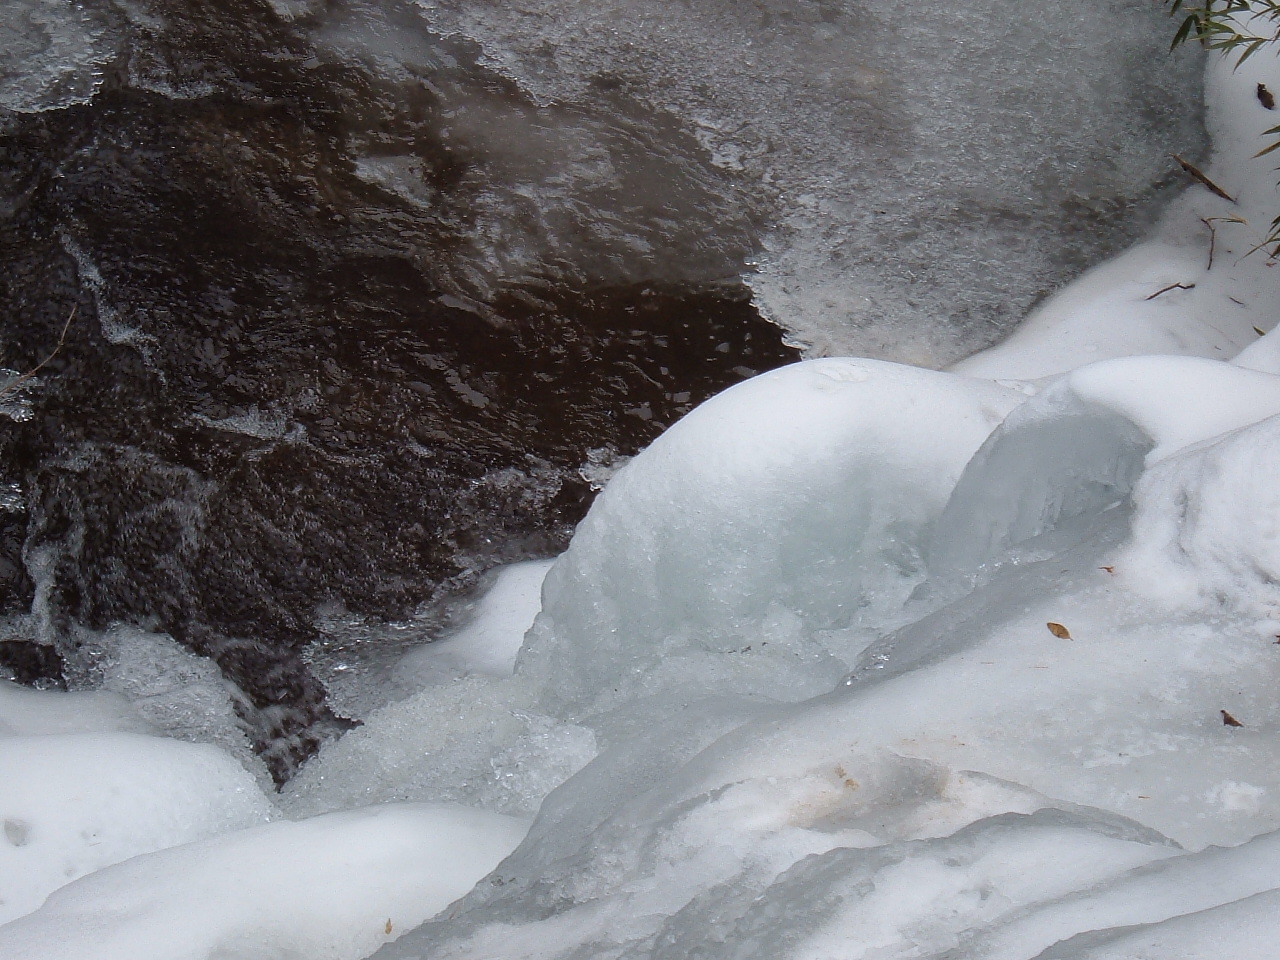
(351, 312)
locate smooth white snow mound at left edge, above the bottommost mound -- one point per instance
(75, 803)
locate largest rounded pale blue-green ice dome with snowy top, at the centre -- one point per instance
(796, 502)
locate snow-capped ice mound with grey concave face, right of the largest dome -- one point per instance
(1081, 446)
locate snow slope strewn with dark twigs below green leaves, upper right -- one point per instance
(1195, 287)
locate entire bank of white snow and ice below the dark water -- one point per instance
(857, 661)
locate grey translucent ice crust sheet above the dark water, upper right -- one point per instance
(916, 209)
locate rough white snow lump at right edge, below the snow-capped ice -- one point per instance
(1208, 525)
